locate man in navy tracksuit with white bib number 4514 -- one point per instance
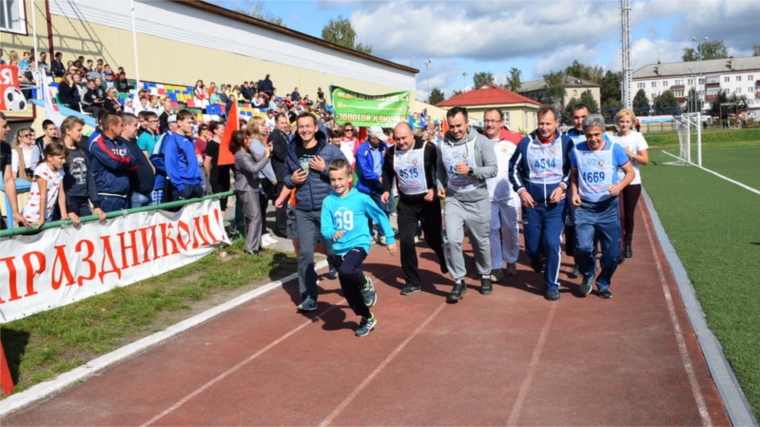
(540, 172)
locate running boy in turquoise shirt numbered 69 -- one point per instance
(345, 222)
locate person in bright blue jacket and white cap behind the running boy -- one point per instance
(369, 163)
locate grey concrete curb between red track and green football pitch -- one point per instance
(737, 406)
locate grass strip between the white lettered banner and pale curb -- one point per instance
(41, 346)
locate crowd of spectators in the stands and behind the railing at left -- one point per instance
(156, 151)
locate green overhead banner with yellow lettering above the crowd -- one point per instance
(369, 110)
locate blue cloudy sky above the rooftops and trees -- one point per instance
(534, 36)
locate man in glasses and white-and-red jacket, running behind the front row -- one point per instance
(505, 203)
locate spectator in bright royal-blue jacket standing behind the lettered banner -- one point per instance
(182, 167)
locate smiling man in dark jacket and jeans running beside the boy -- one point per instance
(307, 170)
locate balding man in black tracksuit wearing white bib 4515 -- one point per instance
(412, 163)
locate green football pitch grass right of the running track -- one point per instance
(715, 227)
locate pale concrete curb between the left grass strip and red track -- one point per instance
(49, 388)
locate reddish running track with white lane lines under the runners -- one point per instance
(510, 358)
